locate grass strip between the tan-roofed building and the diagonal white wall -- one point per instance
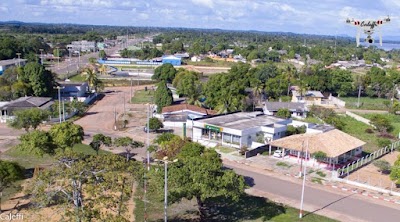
(357, 129)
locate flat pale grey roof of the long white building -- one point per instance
(242, 120)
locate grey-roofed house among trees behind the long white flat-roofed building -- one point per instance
(297, 109)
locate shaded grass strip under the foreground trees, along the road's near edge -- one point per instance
(248, 208)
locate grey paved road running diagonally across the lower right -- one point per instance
(346, 208)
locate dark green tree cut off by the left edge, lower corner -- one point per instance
(10, 172)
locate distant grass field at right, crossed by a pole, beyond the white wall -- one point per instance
(365, 103)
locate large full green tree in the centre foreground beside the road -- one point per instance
(199, 174)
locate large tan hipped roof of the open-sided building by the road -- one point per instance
(333, 142)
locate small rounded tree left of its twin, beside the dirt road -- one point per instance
(37, 143)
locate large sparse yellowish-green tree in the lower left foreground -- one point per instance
(83, 186)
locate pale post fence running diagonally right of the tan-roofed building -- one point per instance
(346, 170)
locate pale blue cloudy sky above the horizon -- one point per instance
(326, 17)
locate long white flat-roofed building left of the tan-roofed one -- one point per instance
(238, 129)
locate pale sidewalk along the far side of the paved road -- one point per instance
(316, 178)
